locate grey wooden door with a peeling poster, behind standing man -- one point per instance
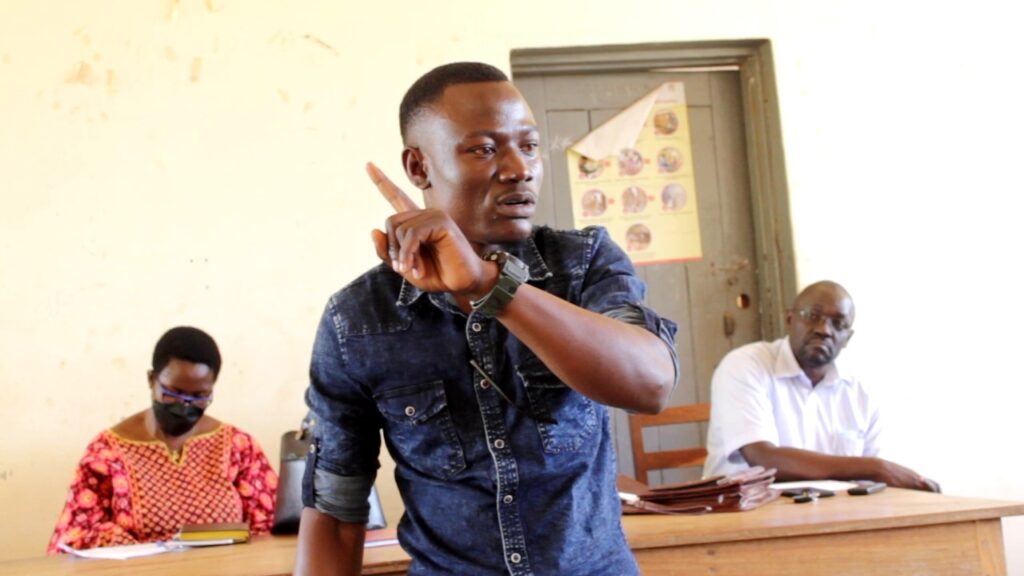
(714, 301)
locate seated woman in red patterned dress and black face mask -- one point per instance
(169, 465)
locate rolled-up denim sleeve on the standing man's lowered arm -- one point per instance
(344, 465)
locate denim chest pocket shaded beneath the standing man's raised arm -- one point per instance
(575, 416)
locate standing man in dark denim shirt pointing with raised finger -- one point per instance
(487, 350)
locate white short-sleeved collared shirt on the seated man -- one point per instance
(760, 394)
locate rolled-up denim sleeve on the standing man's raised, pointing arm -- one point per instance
(613, 289)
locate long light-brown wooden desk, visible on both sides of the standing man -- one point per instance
(893, 532)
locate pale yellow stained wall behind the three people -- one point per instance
(201, 162)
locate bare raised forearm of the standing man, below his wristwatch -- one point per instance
(613, 362)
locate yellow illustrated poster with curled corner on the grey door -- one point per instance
(634, 176)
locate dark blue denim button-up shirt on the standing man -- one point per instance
(488, 487)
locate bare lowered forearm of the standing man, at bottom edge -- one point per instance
(329, 548)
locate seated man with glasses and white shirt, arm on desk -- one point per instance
(786, 405)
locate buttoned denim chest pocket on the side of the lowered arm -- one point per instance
(420, 429)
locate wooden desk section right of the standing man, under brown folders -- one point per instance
(892, 532)
